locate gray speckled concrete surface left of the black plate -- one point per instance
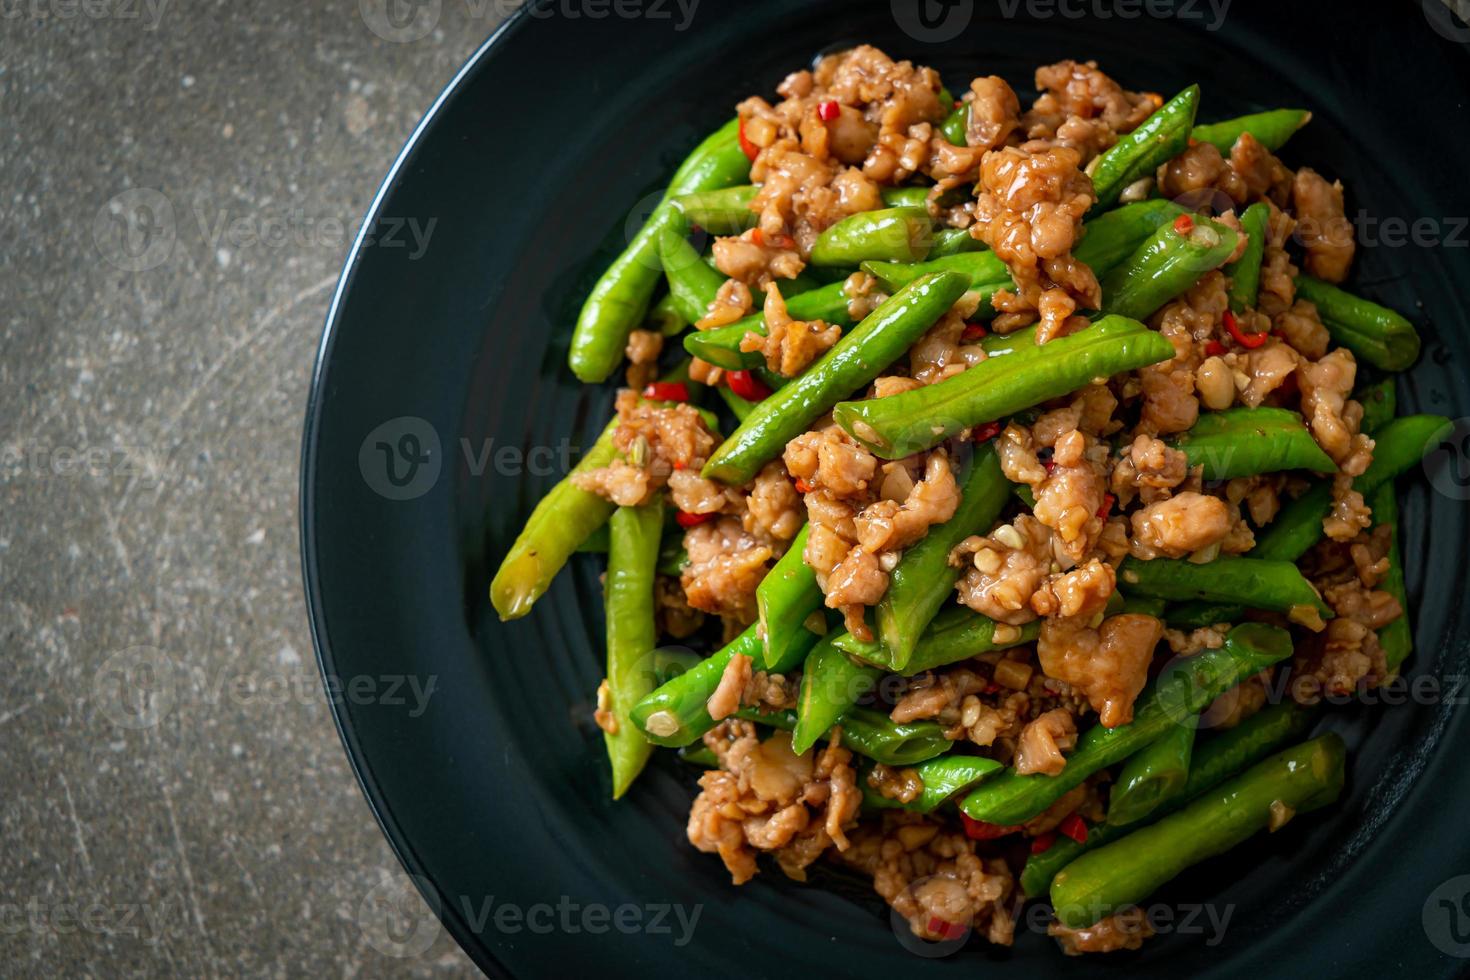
(180, 184)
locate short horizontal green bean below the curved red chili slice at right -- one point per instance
(1249, 442)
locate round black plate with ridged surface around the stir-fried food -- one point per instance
(530, 165)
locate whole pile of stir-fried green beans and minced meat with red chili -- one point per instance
(1028, 472)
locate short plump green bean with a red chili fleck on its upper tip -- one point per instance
(1166, 265)
